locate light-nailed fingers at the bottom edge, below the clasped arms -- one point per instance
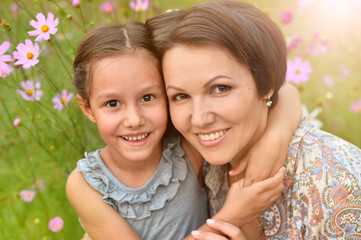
(228, 230)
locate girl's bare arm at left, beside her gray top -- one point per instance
(99, 219)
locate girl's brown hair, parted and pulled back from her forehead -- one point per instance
(108, 40)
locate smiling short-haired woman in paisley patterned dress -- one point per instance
(223, 64)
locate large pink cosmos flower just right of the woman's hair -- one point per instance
(298, 71)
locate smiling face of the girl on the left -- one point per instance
(128, 104)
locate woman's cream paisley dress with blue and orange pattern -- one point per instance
(323, 189)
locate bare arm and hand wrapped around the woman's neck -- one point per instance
(269, 153)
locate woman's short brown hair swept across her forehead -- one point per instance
(248, 34)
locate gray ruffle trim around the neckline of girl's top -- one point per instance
(138, 203)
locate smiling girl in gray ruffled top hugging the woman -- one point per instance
(141, 184)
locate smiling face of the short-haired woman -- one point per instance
(213, 102)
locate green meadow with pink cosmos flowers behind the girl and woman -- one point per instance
(43, 132)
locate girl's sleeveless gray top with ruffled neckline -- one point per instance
(169, 206)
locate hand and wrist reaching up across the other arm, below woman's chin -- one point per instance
(244, 204)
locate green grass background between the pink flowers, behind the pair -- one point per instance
(48, 142)
